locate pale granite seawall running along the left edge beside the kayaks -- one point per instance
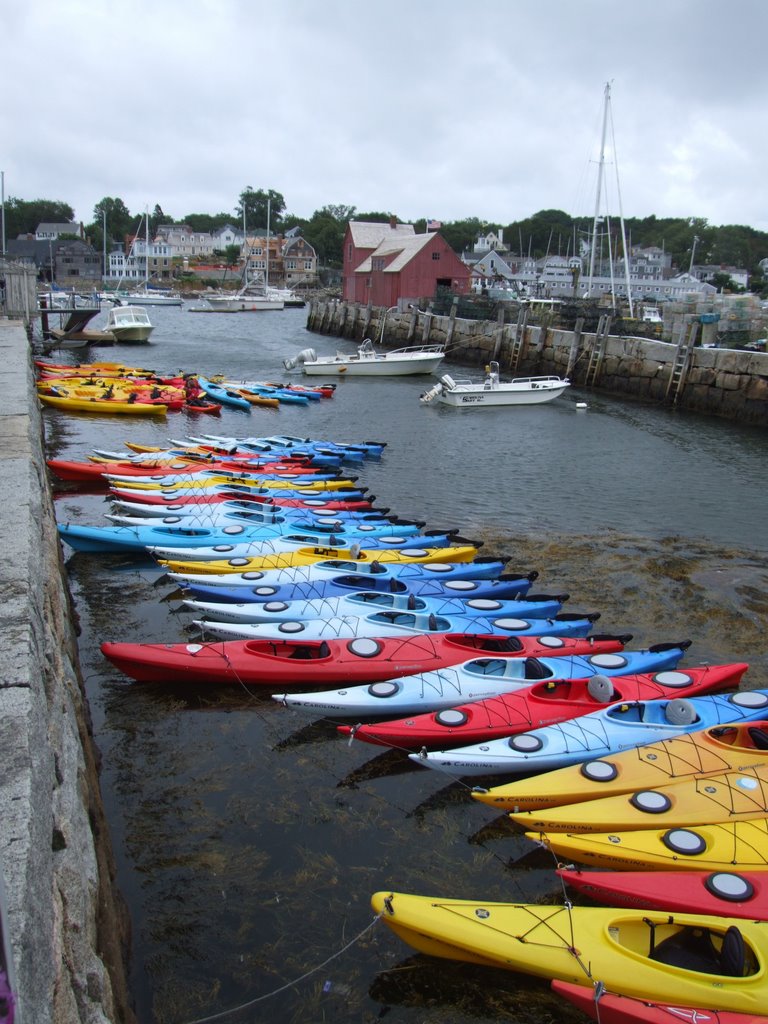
(66, 923)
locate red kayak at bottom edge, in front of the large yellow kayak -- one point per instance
(612, 1009)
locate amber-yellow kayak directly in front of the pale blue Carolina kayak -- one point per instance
(697, 755)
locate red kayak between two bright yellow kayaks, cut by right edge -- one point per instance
(729, 894)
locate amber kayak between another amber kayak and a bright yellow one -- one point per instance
(730, 797)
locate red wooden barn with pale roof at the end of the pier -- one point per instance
(388, 265)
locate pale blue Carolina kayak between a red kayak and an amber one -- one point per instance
(600, 735)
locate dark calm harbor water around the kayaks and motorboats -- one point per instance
(249, 838)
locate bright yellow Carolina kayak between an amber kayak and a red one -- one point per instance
(741, 846)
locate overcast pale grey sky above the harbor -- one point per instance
(437, 109)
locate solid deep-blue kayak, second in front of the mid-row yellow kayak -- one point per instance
(502, 588)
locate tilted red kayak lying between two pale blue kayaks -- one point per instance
(538, 706)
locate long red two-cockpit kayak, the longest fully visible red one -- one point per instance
(316, 663)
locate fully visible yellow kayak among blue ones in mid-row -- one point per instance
(306, 557)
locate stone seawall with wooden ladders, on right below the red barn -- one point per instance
(720, 382)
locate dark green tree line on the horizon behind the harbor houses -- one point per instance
(688, 240)
